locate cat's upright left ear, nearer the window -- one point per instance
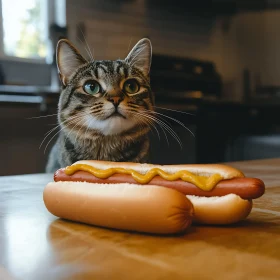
(68, 59)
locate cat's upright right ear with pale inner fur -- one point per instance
(141, 56)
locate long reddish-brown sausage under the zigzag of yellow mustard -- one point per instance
(246, 188)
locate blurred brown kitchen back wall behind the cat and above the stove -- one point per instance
(233, 43)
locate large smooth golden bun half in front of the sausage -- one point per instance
(150, 209)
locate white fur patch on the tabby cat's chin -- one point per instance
(111, 126)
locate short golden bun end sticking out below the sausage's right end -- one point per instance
(221, 210)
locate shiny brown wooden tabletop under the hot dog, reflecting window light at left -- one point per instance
(36, 245)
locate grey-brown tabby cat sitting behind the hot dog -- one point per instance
(105, 107)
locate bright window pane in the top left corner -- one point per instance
(25, 28)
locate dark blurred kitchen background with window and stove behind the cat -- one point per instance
(216, 61)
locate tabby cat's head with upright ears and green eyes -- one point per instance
(107, 97)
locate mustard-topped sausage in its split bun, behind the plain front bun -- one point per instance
(219, 194)
